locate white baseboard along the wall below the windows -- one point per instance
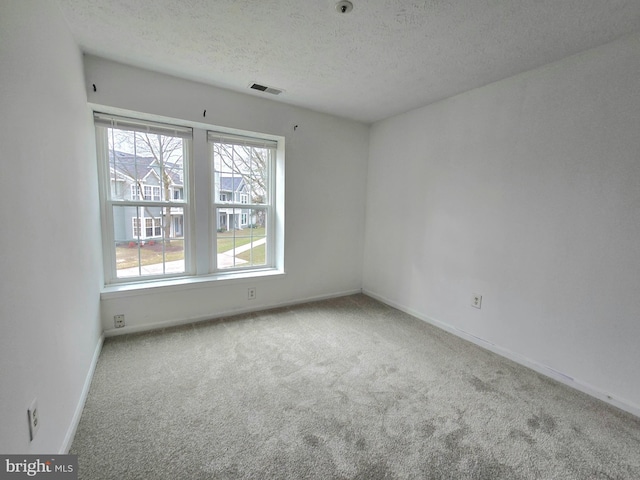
(184, 321)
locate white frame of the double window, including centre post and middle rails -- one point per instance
(200, 264)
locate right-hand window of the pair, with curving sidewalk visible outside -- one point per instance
(245, 167)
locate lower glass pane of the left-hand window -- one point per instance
(155, 249)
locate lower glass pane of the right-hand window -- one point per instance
(241, 237)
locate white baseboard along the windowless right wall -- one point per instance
(577, 384)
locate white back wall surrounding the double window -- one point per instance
(324, 201)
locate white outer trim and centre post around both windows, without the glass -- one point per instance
(196, 175)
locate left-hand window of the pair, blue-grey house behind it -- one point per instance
(142, 241)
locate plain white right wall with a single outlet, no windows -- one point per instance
(526, 191)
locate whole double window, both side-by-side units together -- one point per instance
(149, 197)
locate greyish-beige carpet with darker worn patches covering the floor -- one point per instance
(346, 388)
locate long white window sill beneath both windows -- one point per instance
(183, 283)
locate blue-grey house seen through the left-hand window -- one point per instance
(141, 223)
